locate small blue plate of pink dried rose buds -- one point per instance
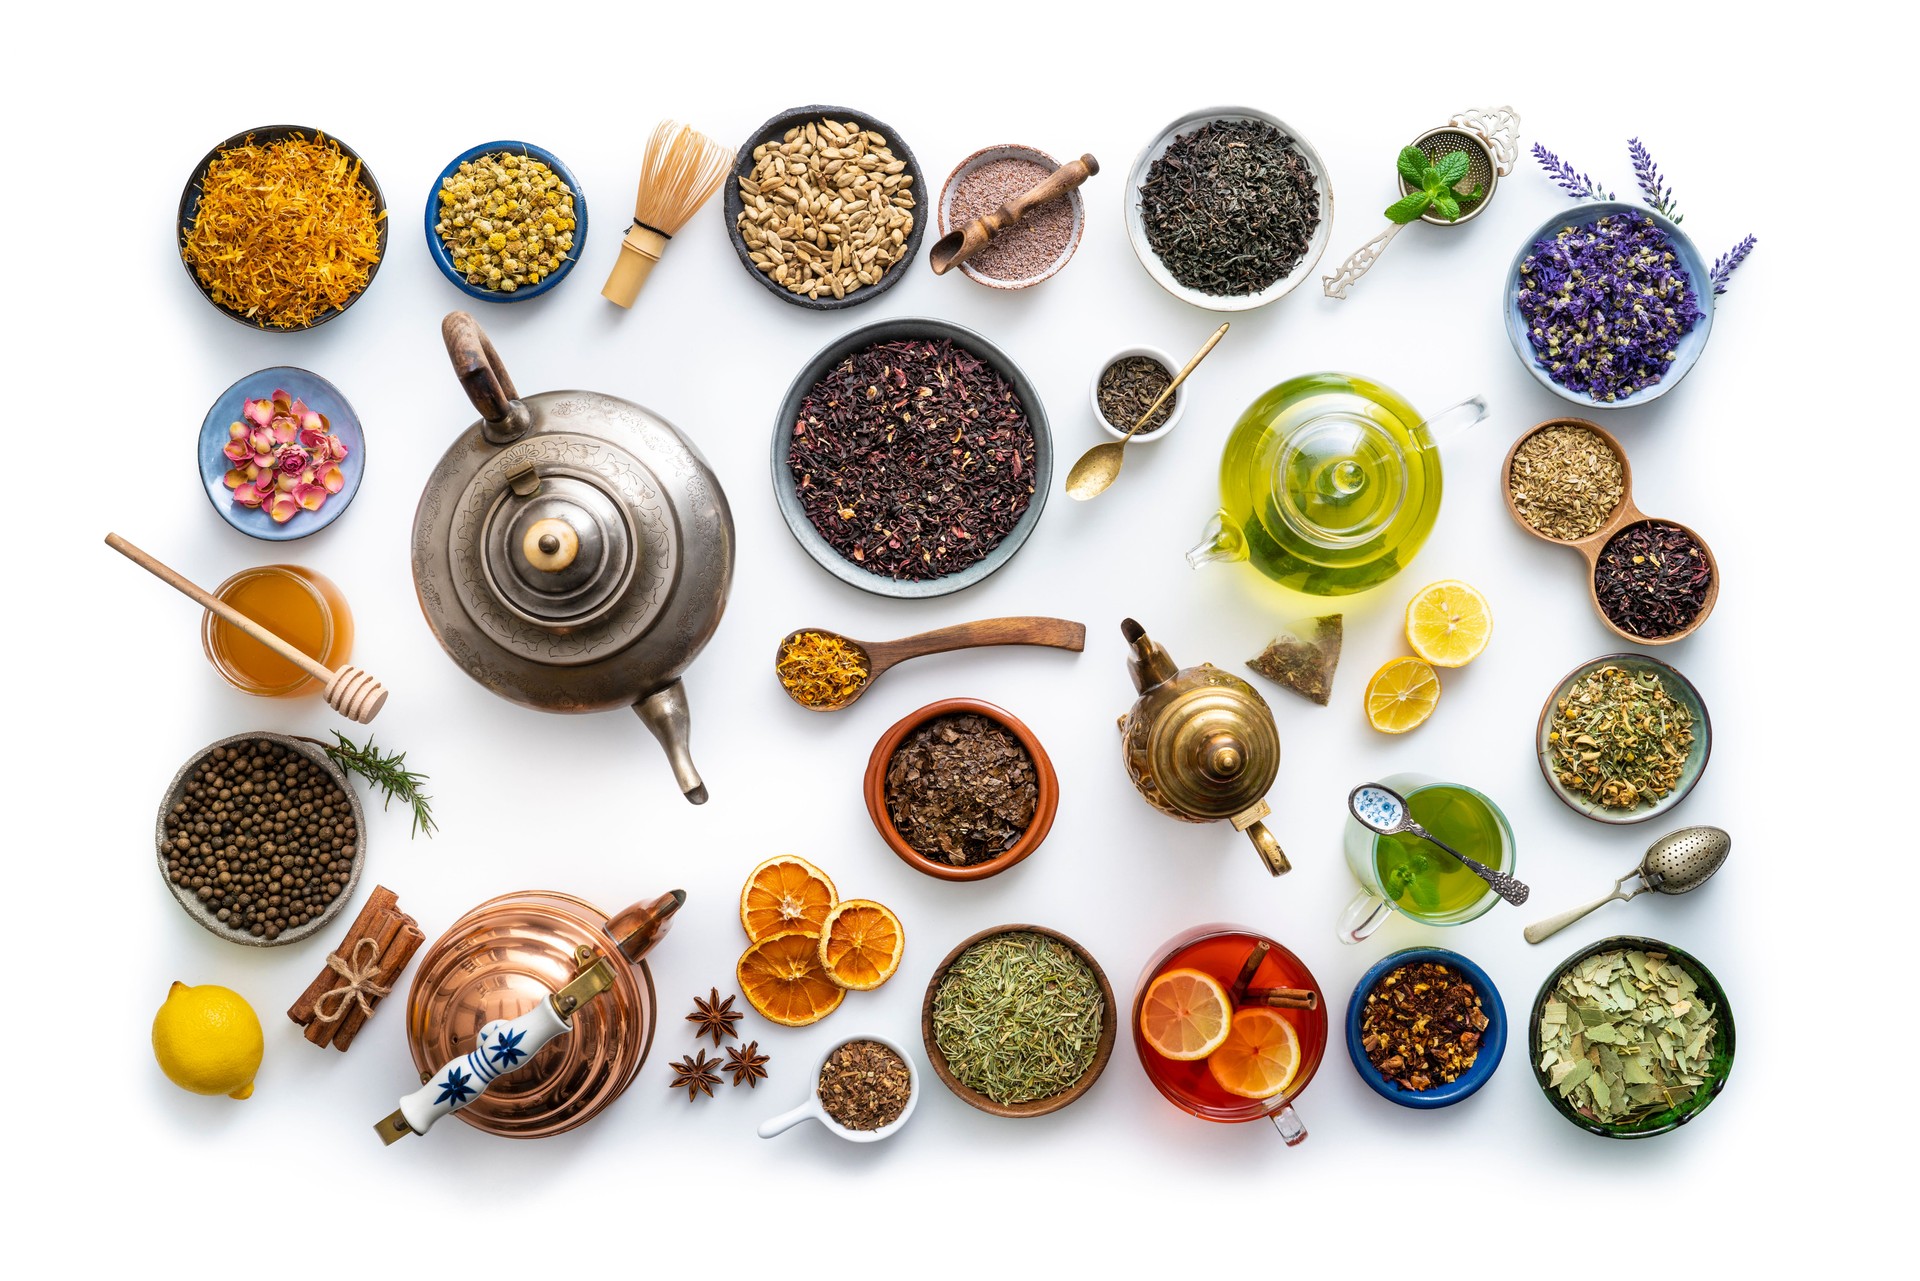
(281, 454)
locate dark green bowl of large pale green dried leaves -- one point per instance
(1631, 1038)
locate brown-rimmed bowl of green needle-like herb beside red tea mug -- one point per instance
(1019, 1021)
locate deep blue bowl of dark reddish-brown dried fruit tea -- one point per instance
(1426, 1028)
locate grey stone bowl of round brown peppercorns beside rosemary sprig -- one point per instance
(262, 838)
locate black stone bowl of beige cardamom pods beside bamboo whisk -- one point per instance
(790, 276)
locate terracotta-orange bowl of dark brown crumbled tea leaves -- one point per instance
(961, 790)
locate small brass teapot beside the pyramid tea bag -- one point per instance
(1201, 744)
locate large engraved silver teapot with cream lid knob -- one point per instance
(573, 552)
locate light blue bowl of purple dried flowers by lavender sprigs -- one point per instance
(1631, 256)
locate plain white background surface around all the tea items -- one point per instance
(118, 358)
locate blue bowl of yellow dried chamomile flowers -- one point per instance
(506, 222)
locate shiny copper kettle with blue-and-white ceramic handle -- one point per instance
(531, 1015)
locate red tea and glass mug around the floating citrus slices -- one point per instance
(1224, 954)
